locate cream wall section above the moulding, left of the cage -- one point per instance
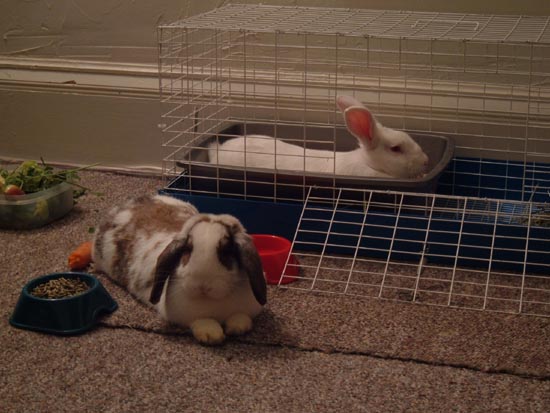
(121, 30)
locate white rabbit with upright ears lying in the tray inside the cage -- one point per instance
(382, 152)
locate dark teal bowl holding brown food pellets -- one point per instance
(65, 316)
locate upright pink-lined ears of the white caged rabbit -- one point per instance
(359, 121)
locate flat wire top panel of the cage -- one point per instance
(375, 23)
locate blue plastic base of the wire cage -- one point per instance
(472, 232)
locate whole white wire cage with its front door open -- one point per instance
(482, 80)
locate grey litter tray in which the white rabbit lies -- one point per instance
(204, 177)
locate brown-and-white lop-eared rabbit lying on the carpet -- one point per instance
(198, 270)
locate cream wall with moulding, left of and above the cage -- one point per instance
(78, 78)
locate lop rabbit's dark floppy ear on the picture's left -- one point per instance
(167, 262)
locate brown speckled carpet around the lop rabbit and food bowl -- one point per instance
(307, 352)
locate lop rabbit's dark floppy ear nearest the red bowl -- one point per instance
(250, 262)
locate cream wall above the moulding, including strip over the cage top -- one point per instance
(125, 30)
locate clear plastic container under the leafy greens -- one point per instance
(36, 209)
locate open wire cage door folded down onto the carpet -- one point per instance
(456, 251)
